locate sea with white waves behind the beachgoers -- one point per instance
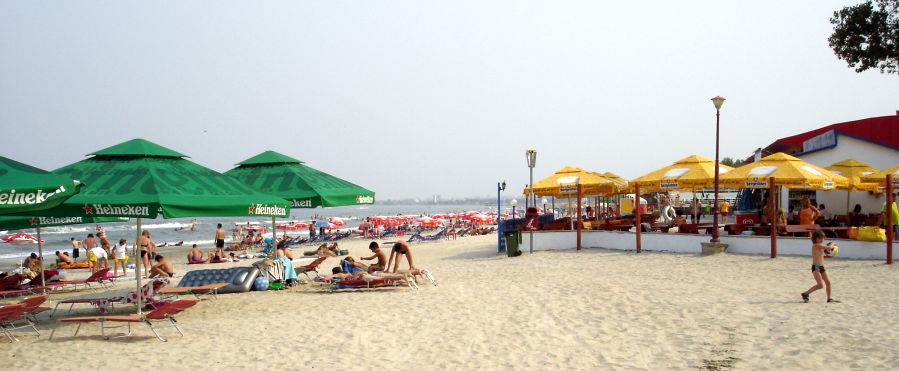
(173, 231)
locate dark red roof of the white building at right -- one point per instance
(878, 130)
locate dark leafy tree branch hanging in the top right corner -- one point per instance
(867, 37)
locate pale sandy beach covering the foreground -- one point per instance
(593, 309)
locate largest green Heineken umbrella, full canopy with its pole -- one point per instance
(141, 179)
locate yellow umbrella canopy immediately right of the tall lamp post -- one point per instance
(788, 171)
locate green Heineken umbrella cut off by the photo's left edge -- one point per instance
(26, 188)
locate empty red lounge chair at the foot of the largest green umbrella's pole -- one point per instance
(163, 314)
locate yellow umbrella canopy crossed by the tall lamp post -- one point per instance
(691, 172)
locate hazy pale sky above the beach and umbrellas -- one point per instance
(418, 98)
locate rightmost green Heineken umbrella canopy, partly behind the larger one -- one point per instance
(305, 187)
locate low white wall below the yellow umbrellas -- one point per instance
(690, 243)
